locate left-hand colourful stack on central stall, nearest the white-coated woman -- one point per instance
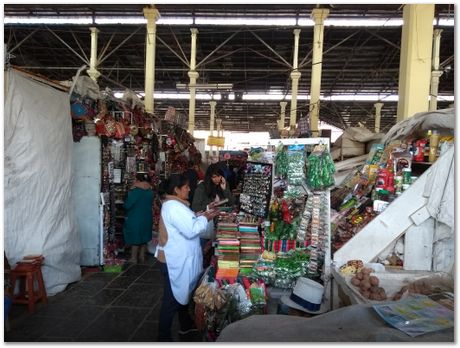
(228, 250)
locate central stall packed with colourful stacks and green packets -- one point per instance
(279, 234)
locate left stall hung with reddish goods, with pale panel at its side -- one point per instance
(117, 139)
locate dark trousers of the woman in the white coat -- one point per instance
(169, 307)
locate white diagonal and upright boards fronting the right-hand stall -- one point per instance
(423, 215)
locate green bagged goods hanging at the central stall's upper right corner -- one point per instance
(321, 169)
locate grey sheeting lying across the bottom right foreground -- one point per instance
(356, 323)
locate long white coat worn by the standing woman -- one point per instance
(183, 254)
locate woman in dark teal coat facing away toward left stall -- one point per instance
(137, 228)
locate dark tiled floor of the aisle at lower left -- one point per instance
(102, 307)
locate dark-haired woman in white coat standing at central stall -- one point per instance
(179, 254)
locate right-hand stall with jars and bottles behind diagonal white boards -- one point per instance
(395, 214)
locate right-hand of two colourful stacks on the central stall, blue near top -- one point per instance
(250, 248)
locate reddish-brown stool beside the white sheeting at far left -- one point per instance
(26, 272)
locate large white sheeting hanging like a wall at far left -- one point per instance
(38, 208)
